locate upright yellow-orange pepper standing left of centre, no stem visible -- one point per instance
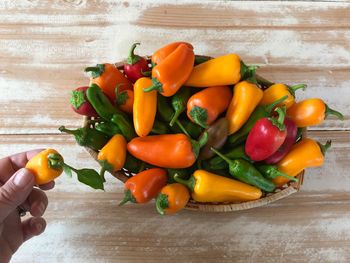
(144, 108)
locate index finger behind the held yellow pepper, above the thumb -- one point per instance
(11, 164)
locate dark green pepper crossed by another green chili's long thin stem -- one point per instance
(217, 163)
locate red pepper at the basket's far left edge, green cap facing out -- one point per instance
(80, 103)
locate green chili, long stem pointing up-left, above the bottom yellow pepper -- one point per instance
(247, 173)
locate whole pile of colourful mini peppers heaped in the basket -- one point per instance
(194, 127)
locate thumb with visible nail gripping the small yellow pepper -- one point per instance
(15, 191)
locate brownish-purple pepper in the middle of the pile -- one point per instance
(218, 132)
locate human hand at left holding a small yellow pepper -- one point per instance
(17, 188)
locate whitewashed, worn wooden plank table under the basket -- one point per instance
(45, 45)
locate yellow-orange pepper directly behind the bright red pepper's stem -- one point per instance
(278, 90)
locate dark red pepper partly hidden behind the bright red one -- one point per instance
(292, 130)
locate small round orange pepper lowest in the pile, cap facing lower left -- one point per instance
(172, 198)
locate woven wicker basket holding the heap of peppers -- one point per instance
(279, 193)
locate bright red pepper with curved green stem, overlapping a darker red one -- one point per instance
(266, 137)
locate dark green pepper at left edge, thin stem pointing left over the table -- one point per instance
(88, 137)
